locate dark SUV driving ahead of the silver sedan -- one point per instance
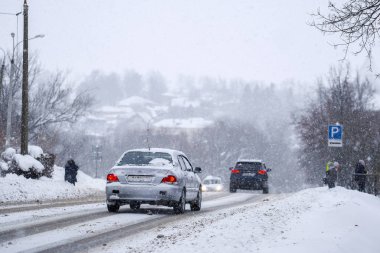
(249, 175)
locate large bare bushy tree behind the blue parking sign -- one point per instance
(348, 101)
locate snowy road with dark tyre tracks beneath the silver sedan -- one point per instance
(81, 227)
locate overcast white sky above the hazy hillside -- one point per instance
(266, 40)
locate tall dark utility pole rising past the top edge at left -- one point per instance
(25, 89)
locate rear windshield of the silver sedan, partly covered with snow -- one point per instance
(145, 158)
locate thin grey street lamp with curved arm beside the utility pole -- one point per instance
(10, 90)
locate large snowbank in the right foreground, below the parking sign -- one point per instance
(313, 220)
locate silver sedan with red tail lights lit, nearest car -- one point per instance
(154, 176)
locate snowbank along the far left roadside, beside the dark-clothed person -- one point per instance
(15, 188)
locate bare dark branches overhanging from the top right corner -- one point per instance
(357, 22)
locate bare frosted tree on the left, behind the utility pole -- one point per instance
(51, 103)
